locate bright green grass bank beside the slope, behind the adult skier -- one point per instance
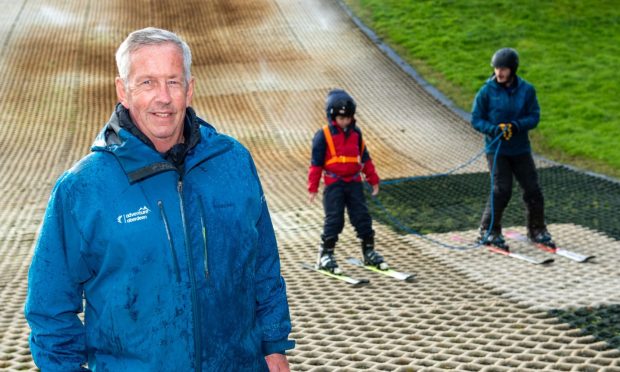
(569, 49)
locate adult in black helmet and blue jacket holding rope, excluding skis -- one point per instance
(507, 105)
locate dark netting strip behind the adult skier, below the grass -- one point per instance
(455, 202)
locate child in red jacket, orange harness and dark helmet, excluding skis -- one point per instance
(339, 153)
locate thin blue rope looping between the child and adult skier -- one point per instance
(409, 230)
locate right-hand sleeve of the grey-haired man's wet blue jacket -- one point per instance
(272, 305)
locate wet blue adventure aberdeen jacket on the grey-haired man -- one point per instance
(177, 272)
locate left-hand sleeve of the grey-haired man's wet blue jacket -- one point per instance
(54, 300)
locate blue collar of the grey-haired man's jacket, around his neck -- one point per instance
(137, 155)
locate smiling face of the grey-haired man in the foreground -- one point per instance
(156, 93)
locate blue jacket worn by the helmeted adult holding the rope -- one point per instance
(495, 104)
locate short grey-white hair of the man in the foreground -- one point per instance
(150, 36)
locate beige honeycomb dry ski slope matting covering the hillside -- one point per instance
(263, 68)
